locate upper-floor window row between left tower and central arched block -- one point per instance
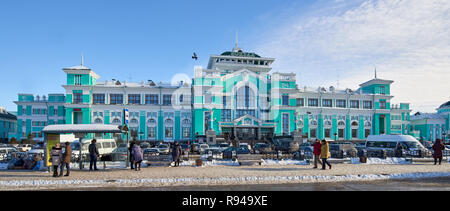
(134, 99)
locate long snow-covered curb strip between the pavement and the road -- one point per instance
(226, 180)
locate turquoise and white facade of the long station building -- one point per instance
(237, 93)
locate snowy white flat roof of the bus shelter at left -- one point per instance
(85, 128)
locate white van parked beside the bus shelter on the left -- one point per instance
(104, 146)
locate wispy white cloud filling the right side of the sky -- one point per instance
(407, 40)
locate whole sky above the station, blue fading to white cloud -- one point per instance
(141, 40)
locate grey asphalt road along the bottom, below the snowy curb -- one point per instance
(428, 184)
